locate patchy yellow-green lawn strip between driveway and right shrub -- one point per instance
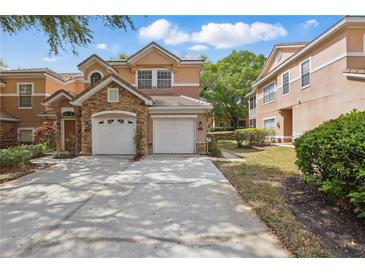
(259, 180)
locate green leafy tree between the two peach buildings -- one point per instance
(226, 83)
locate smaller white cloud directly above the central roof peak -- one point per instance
(165, 31)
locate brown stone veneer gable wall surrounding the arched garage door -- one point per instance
(127, 102)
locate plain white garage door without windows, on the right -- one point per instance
(174, 135)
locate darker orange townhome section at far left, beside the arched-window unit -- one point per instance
(22, 92)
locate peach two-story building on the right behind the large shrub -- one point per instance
(304, 84)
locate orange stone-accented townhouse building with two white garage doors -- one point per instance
(148, 103)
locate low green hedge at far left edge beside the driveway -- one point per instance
(21, 154)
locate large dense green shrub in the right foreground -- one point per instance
(332, 157)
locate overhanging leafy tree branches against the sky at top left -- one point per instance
(61, 29)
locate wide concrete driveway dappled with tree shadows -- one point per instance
(107, 207)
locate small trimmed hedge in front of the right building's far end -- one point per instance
(253, 136)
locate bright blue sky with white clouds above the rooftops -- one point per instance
(189, 36)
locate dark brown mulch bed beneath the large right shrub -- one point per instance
(340, 231)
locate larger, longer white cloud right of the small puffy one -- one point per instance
(227, 35)
